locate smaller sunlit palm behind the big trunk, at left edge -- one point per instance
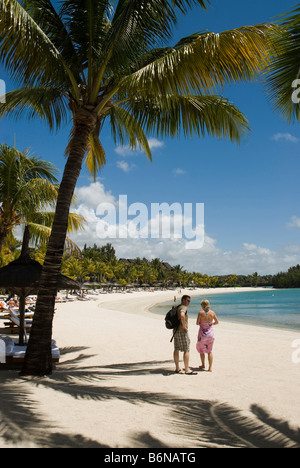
(26, 190)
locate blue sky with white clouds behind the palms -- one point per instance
(251, 191)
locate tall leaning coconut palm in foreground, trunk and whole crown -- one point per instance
(105, 60)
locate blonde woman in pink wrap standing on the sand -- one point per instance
(206, 319)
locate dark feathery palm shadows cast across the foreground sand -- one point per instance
(201, 423)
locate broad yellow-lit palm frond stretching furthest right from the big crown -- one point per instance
(202, 62)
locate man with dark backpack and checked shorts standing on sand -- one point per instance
(182, 339)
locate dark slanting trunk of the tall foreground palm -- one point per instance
(38, 359)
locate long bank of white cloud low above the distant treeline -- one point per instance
(192, 255)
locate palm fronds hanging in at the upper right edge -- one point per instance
(283, 75)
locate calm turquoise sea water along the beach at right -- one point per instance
(274, 308)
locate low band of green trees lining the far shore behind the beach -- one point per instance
(99, 266)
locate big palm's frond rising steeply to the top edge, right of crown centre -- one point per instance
(134, 28)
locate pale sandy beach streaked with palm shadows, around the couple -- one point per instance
(115, 385)
